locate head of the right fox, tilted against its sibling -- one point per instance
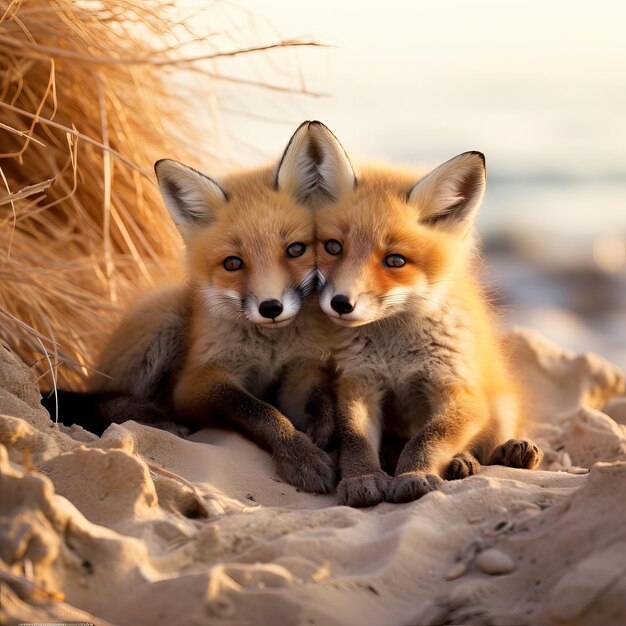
(393, 241)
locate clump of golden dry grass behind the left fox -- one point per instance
(86, 107)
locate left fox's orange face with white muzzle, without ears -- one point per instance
(259, 267)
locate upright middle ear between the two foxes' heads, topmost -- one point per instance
(315, 168)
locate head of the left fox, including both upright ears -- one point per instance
(250, 237)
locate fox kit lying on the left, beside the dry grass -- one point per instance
(243, 330)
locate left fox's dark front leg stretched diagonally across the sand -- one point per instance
(210, 391)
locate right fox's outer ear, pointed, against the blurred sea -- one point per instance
(450, 196)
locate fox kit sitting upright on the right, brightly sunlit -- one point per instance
(418, 359)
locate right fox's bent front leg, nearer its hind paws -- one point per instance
(433, 452)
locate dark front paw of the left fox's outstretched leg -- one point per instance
(302, 464)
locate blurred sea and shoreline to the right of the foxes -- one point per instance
(556, 258)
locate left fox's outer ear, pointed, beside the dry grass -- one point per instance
(190, 197)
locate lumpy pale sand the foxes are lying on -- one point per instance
(144, 527)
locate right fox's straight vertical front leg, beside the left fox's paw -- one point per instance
(363, 482)
